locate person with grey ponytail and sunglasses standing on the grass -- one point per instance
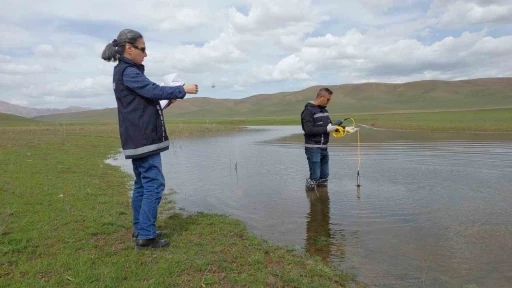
(142, 130)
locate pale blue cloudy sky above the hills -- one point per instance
(50, 50)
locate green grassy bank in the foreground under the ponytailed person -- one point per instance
(65, 221)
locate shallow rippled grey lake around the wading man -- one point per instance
(433, 209)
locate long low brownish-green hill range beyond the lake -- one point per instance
(428, 95)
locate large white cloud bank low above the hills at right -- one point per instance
(358, 56)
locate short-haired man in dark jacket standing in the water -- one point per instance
(317, 125)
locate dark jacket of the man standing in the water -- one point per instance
(314, 121)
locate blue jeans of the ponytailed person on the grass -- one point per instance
(148, 188)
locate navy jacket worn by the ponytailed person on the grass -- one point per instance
(141, 120)
